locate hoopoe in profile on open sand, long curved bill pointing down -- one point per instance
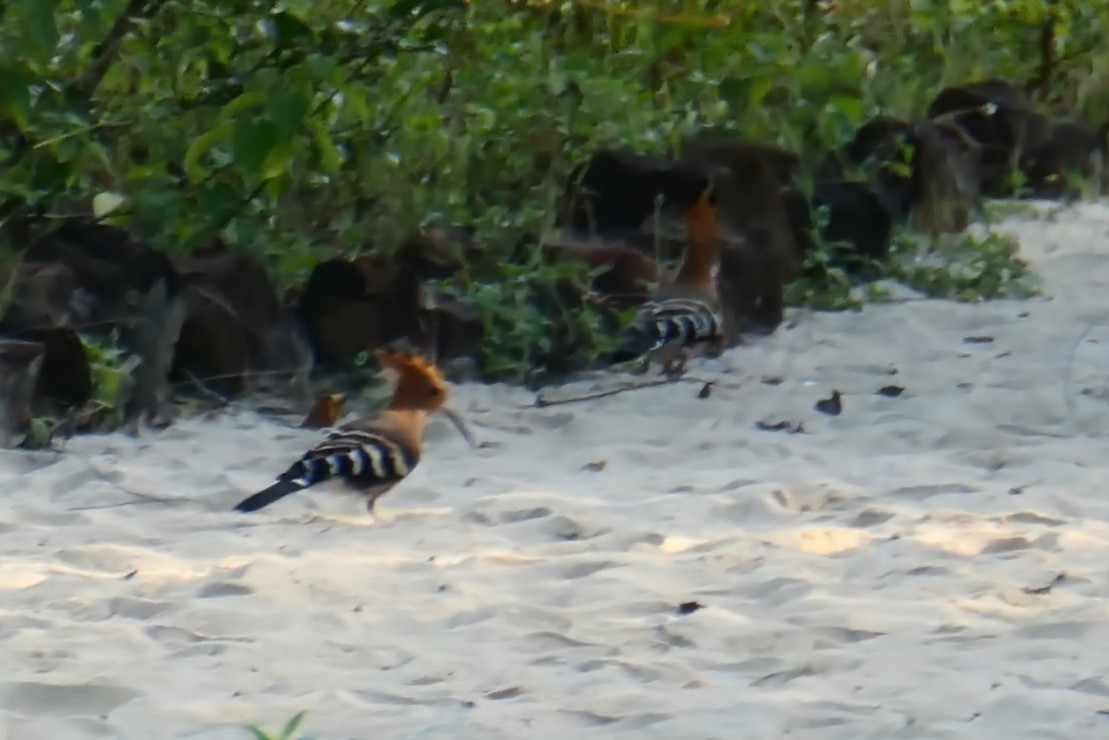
(375, 454)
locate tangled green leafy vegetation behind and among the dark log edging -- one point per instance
(302, 130)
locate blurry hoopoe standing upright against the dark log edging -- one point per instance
(685, 309)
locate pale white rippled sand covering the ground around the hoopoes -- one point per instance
(866, 581)
